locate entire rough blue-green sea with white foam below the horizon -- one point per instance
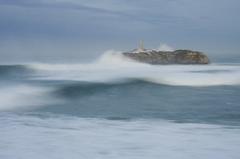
(116, 108)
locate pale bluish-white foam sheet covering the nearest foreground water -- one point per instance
(61, 138)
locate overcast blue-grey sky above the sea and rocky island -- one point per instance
(78, 30)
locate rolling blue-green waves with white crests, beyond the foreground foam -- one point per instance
(114, 87)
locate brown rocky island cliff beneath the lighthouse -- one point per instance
(168, 57)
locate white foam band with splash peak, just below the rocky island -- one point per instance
(112, 67)
